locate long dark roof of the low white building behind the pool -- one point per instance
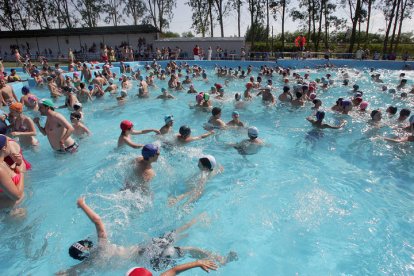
(130, 29)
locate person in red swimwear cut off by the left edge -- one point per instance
(11, 181)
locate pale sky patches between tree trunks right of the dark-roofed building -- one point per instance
(182, 21)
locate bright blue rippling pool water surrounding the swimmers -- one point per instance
(331, 202)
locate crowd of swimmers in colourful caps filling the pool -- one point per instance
(18, 128)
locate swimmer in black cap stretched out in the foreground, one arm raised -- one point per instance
(161, 252)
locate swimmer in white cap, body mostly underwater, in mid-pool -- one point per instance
(208, 168)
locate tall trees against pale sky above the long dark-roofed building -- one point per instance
(49, 14)
